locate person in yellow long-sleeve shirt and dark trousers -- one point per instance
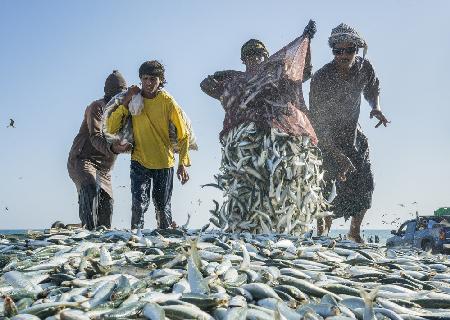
(152, 158)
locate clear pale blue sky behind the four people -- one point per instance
(56, 55)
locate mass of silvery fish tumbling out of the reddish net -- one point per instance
(272, 182)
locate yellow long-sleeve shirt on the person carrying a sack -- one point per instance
(152, 146)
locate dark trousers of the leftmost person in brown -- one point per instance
(95, 207)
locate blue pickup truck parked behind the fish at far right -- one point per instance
(429, 233)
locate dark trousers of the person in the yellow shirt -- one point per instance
(141, 181)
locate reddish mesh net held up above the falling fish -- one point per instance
(273, 97)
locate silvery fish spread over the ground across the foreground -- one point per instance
(180, 274)
